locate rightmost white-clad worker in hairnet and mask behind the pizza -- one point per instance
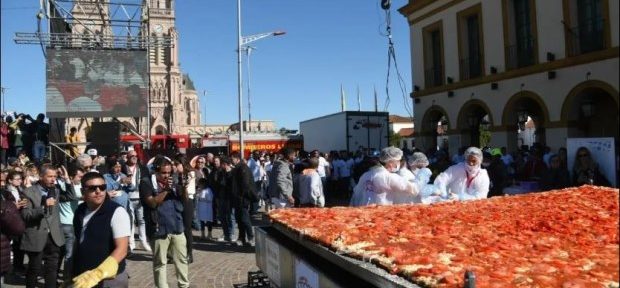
(465, 180)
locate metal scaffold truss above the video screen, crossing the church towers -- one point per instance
(95, 24)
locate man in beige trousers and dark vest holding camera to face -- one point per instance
(163, 210)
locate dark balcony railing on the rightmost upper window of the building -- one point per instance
(588, 37)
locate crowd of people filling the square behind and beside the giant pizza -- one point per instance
(88, 216)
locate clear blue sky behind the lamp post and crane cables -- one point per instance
(295, 77)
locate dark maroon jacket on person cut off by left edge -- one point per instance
(11, 224)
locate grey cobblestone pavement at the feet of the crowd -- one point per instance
(215, 264)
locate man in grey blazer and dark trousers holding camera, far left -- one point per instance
(43, 236)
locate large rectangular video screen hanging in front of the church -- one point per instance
(96, 83)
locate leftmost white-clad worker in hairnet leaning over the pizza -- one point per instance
(381, 185)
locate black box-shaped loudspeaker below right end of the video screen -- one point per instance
(105, 137)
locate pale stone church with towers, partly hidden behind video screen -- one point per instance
(173, 103)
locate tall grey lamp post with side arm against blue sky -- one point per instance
(242, 41)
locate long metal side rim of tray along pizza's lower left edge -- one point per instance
(367, 271)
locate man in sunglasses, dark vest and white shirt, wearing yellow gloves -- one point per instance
(102, 230)
